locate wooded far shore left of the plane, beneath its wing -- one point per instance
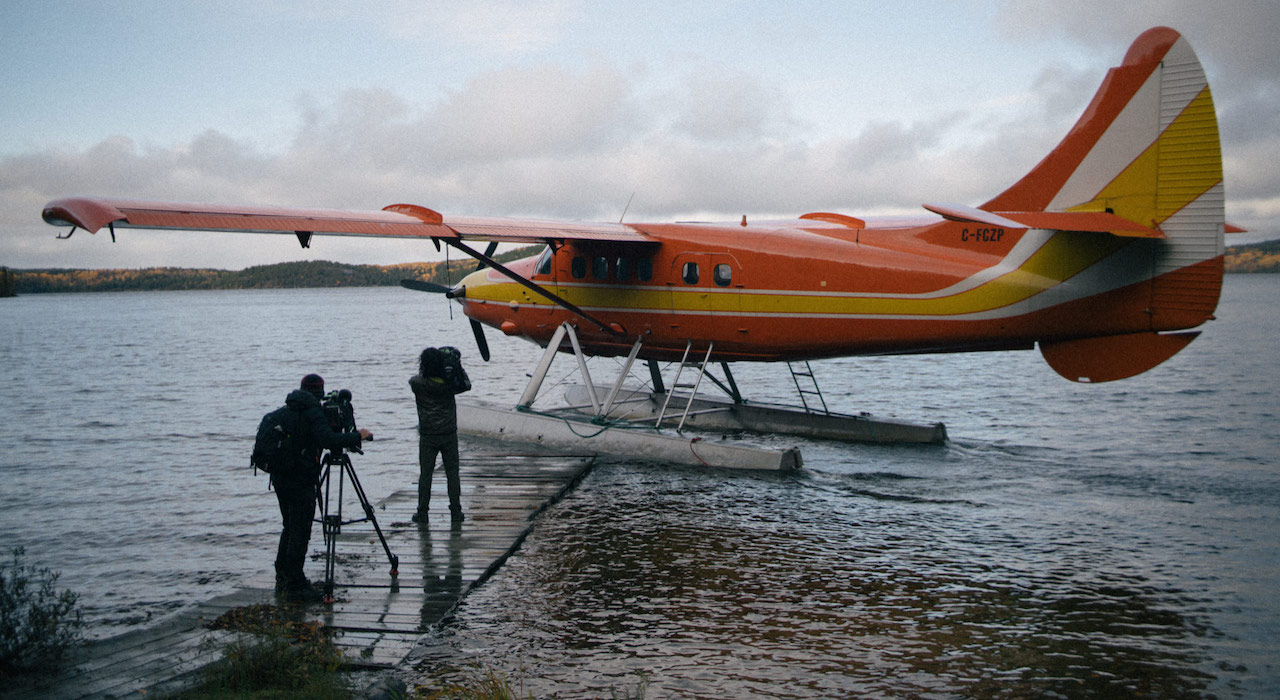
(264, 277)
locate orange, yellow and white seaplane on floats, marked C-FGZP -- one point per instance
(1105, 257)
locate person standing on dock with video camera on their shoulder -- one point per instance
(441, 377)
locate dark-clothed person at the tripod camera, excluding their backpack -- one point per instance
(296, 487)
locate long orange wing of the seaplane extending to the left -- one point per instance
(394, 222)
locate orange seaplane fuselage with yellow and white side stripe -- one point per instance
(812, 290)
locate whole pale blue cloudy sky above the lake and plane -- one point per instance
(568, 109)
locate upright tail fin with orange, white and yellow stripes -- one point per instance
(1148, 152)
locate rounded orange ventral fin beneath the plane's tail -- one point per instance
(1112, 358)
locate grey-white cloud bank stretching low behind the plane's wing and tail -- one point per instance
(575, 143)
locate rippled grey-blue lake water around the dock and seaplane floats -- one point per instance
(1069, 541)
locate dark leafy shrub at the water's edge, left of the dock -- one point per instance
(38, 625)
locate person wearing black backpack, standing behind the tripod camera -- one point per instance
(301, 432)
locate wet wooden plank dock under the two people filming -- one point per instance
(378, 617)
